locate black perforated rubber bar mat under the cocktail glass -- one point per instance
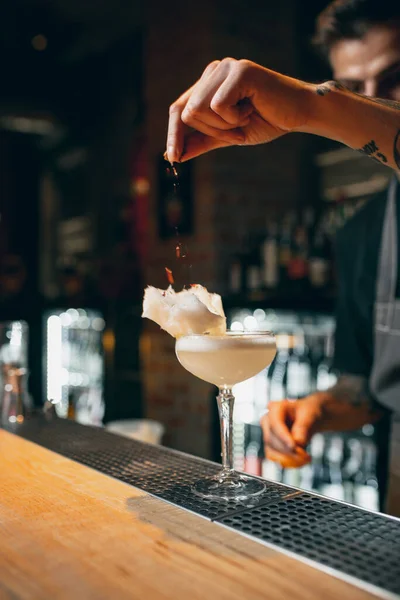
(344, 539)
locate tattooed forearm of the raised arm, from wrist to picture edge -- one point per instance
(371, 126)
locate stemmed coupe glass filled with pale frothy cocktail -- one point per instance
(226, 360)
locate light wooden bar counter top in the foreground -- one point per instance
(68, 531)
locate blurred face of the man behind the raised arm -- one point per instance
(370, 65)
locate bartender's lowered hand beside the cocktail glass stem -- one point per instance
(288, 427)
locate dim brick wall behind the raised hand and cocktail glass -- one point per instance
(232, 187)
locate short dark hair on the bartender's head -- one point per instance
(351, 19)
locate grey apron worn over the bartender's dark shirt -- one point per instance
(385, 375)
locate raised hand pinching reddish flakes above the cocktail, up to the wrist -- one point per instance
(235, 102)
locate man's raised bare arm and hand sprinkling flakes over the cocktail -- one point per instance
(237, 102)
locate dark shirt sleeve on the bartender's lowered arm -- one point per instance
(353, 336)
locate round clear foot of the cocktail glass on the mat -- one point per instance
(228, 487)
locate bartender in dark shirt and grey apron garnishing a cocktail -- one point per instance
(241, 103)
